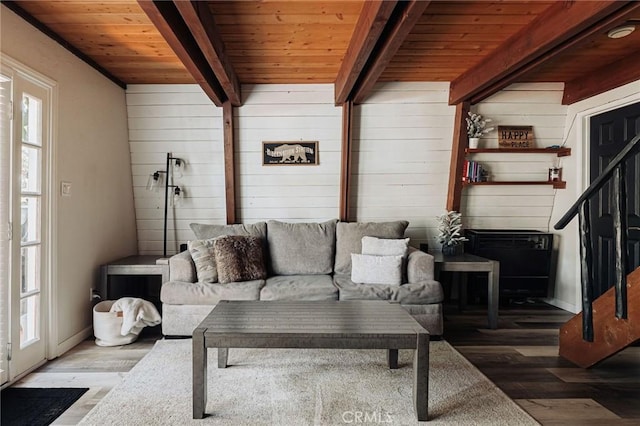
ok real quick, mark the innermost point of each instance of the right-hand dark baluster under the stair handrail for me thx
(619, 201)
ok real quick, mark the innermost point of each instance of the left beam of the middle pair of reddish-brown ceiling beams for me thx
(371, 23)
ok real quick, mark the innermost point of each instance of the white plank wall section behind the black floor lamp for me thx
(182, 120)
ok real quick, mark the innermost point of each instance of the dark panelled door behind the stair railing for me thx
(610, 132)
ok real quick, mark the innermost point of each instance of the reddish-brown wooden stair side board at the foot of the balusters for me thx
(610, 334)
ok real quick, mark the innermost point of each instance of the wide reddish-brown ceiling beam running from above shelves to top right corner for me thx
(562, 24)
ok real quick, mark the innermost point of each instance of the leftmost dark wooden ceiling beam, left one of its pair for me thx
(166, 18)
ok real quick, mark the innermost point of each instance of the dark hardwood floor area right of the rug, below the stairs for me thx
(521, 358)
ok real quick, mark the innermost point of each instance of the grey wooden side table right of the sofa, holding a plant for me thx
(472, 263)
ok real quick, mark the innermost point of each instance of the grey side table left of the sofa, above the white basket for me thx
(133, 265)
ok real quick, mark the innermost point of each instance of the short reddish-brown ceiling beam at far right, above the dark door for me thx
(627, 70)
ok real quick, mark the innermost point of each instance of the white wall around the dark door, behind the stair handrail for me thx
(576, 171)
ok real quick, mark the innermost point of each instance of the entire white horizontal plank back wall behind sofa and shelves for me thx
(402, 148)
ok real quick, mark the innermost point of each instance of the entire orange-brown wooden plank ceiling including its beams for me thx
(479, 46)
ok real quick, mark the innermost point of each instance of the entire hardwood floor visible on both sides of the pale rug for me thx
(521, 358)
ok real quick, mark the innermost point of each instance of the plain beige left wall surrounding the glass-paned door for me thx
(90, 150)
